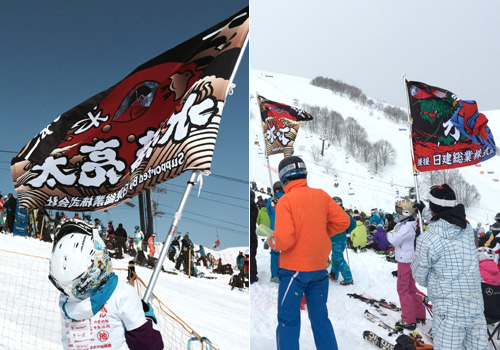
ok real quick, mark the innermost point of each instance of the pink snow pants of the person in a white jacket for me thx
(412, 305)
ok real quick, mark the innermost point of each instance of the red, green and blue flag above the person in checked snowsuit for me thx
(447, 132)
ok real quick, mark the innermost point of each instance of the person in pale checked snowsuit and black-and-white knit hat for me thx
(446, 263)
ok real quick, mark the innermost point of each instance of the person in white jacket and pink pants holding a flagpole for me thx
(402, 237)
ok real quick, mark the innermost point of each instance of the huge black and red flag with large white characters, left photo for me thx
(158, 122)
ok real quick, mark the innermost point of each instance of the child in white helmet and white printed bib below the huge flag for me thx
(96, 309)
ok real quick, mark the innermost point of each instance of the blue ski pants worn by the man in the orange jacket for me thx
(314, 286)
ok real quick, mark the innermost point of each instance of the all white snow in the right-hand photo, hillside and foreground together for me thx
(371, 272)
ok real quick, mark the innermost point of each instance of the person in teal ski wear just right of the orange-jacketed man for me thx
(339, 242)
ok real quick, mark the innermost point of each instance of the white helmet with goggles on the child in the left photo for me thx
(80, 263)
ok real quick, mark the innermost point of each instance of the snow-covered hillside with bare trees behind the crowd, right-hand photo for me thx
(370, 190)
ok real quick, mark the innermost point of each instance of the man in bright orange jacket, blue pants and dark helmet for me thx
(306, 218)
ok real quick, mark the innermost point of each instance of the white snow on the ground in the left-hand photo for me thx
(209, 306)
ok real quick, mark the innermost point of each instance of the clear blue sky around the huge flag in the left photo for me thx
(57, 54)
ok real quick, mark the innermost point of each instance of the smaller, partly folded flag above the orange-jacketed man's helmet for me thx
(281, 125)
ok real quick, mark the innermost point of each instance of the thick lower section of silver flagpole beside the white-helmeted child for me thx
(168, 239)
